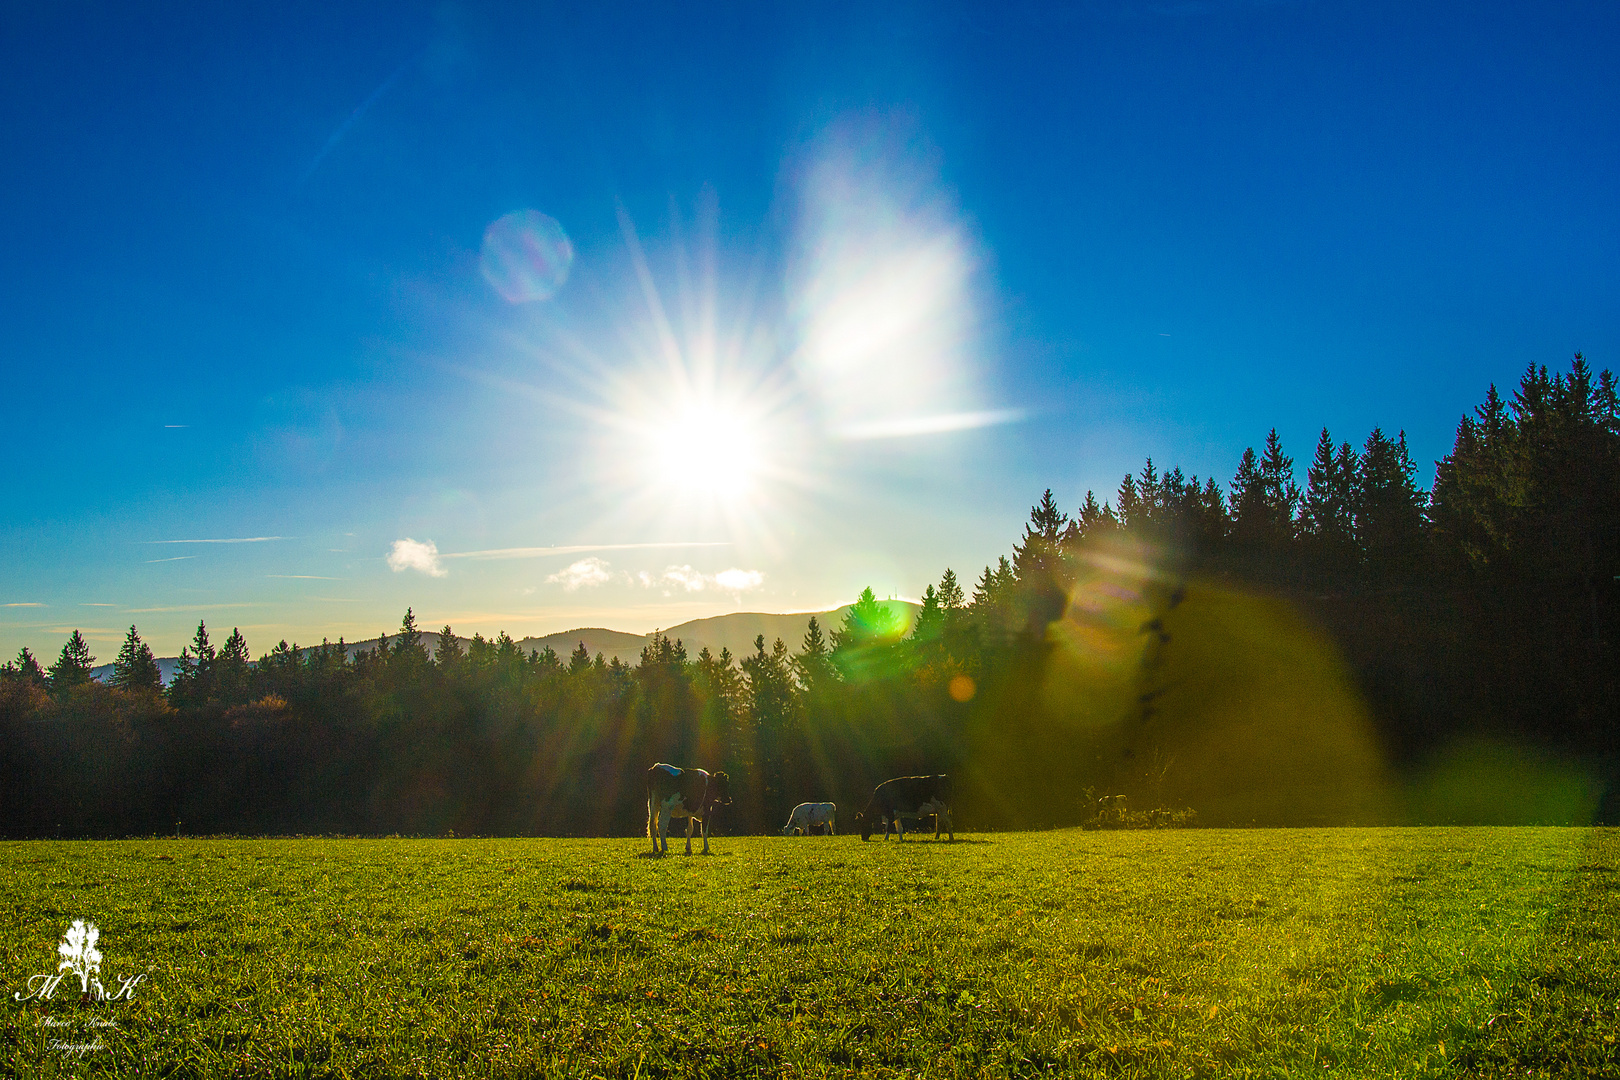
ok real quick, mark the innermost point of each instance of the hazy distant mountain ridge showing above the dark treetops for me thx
(735, 632)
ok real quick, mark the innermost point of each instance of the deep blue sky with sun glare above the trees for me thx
(848, 289)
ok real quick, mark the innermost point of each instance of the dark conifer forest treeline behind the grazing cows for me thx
(1264, 653)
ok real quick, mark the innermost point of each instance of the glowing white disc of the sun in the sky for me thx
(707, 451)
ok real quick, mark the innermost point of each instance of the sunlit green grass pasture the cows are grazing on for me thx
(1412, 953)
